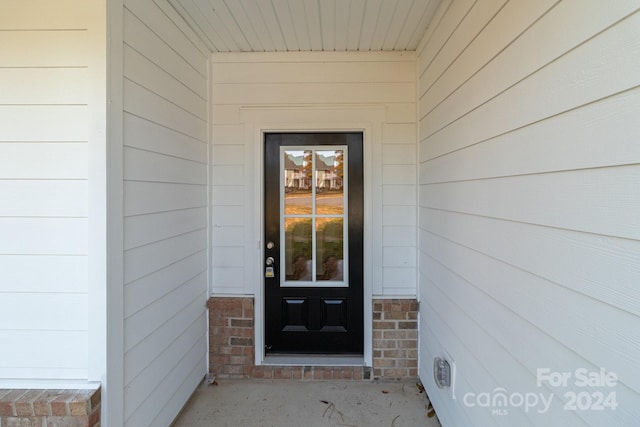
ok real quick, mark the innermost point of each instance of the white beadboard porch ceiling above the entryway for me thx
(307, 25)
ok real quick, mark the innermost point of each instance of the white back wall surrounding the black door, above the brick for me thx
(373, 92)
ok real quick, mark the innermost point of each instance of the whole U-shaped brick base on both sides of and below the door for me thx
(231, 344)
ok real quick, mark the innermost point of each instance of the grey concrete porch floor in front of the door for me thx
(281, 403)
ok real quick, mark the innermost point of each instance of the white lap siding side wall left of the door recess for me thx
(165, 213)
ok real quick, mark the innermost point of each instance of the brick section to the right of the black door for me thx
(395, 338)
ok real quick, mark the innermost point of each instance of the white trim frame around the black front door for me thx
(367, 130)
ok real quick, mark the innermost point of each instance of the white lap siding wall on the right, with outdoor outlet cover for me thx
(529, 204)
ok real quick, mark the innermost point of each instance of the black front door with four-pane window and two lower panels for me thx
(313, 243)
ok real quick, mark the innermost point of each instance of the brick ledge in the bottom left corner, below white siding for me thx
(49, 408)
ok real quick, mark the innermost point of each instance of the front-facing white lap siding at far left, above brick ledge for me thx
(44, 76)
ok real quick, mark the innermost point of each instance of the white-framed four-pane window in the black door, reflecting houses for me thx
(314, 202)
